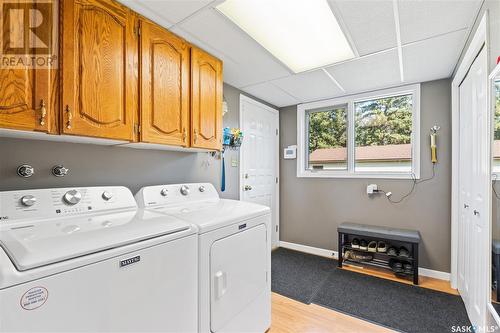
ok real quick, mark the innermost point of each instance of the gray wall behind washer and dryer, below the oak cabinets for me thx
(93, 165)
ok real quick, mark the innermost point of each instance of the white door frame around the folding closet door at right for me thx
(479, 41)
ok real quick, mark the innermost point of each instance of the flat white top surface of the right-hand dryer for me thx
(216, 213)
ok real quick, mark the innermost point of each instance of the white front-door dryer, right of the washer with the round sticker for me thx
(234, 254)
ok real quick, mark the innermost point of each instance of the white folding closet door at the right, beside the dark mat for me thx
(474, 190)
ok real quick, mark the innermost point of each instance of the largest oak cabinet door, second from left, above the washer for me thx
(99, 69)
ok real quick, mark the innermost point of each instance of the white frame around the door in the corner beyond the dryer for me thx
(244, 98)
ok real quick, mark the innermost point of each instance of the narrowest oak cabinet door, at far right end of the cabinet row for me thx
(206, 100)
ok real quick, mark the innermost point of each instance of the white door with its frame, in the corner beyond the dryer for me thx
(259, 158)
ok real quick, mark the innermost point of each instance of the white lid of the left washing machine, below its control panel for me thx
(39, 243)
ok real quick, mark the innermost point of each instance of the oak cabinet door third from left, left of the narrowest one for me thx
(164, 86)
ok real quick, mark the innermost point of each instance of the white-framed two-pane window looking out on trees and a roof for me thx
(366, 135)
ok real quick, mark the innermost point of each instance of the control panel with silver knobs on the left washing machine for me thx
(49, 203)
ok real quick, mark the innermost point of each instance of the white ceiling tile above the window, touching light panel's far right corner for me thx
(376, 71)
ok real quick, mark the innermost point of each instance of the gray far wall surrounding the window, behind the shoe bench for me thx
(312, 208)
